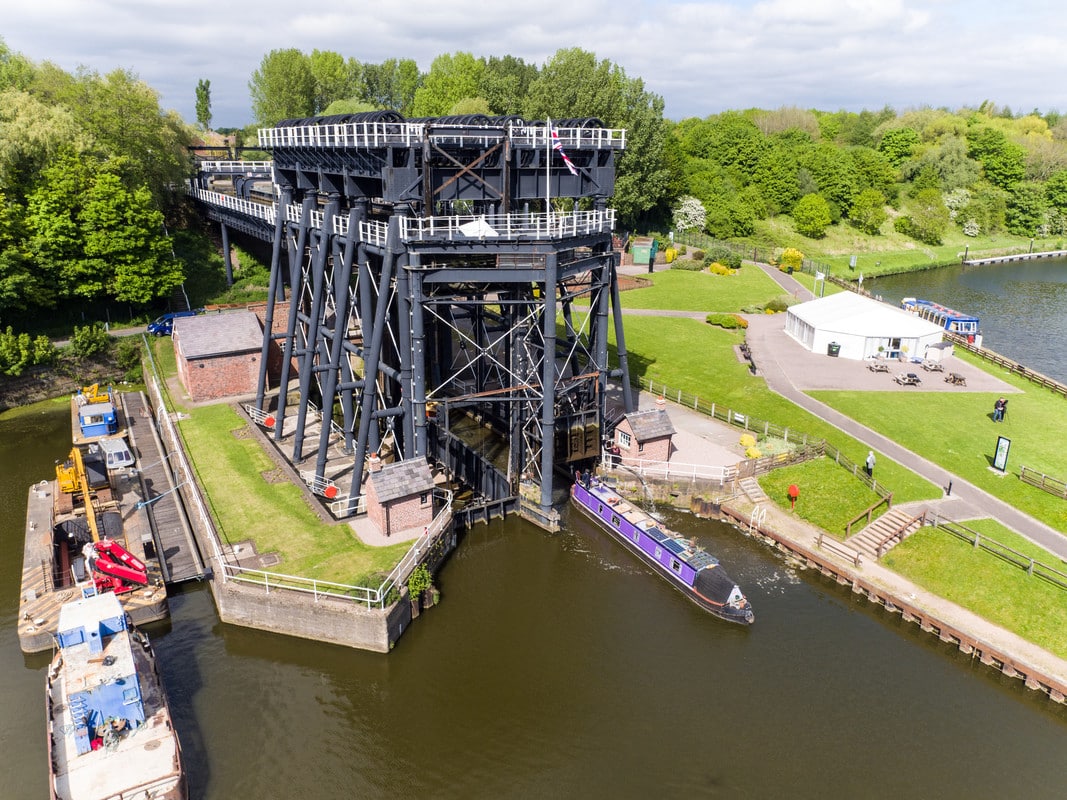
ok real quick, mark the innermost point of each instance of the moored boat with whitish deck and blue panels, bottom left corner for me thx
(110, 733)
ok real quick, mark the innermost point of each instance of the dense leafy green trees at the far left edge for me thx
(90, 166)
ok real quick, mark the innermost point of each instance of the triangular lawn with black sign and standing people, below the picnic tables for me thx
(958, 434)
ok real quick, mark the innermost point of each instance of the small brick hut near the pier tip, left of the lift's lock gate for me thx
(401, 497)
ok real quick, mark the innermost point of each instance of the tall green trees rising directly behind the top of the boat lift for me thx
(572, 84)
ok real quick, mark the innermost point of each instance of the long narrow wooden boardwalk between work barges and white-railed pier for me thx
(179, 556)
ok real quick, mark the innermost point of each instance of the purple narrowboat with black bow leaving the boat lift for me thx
(688, 568)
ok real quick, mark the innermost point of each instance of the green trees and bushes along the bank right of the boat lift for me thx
(983, 170)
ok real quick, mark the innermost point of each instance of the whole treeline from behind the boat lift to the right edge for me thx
(984, 170)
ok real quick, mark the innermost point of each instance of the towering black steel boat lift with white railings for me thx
(436, 268)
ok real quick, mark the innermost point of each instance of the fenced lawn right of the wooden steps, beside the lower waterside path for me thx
(993, 588)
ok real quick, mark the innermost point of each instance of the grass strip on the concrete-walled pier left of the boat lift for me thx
(231, 467)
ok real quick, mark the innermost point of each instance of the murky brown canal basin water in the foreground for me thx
(559, 667)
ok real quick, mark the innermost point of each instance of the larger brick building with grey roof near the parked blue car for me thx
(218, 355)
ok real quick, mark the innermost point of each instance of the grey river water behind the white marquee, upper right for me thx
(1022, 306)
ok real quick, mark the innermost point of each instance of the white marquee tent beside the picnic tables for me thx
(857, 327)
